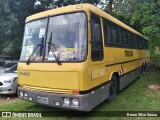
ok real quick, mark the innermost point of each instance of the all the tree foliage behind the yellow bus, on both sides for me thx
(143, 15)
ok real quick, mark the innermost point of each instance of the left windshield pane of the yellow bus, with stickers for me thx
(34, 32)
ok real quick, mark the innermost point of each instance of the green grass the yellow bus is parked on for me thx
(136, 97)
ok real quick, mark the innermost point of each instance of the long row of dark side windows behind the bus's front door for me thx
(133, 43)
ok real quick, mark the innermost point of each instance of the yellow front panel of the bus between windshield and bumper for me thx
(67, 76)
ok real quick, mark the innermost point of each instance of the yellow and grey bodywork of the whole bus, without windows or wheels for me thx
(90, 78)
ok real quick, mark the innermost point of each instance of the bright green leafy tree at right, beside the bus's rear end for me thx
(146, 18)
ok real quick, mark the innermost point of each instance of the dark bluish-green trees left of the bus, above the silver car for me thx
(13, 14)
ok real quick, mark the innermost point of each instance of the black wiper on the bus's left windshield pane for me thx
(41, 49)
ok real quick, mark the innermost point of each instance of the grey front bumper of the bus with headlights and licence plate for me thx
(53, 97)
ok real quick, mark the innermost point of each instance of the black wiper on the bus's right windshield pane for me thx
(51, 46)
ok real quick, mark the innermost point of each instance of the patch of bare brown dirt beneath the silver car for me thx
(5, 99)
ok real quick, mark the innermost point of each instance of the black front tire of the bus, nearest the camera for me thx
(112, 88)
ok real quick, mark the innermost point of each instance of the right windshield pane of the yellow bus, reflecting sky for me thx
(69, 37)
